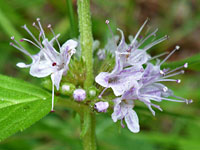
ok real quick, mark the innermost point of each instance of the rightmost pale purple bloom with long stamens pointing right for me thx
(150, 89)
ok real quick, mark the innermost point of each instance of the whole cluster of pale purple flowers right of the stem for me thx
(134, 77)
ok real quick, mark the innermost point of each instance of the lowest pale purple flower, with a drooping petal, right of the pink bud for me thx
(123, 110)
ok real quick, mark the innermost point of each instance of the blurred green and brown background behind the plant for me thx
(176, 128)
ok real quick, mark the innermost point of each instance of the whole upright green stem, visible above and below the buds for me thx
(86, 40)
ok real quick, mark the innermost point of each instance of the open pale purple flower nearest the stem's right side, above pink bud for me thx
(119, 79)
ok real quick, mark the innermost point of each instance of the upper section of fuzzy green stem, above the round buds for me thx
(86, 40)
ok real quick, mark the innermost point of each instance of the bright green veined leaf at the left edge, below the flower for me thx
(21, 105)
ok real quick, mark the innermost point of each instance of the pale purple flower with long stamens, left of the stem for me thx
(48, 61)
